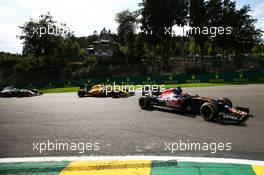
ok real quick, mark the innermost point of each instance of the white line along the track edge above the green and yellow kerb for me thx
(159, 158)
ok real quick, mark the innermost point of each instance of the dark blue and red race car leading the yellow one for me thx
(209, 109)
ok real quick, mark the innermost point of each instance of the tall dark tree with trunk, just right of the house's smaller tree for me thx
(158, 18)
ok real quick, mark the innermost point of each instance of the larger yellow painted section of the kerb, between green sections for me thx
(131, 167)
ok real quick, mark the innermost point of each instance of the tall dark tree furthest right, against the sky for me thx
(244, 34)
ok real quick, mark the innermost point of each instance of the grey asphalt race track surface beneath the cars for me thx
(120, 127)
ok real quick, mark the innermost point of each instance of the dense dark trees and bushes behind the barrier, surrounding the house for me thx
(144, 44)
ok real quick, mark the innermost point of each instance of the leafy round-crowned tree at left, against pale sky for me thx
(51, 46)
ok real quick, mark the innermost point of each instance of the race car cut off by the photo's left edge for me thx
(10, 91)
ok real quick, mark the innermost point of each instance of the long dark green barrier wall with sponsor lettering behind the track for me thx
(229, 77)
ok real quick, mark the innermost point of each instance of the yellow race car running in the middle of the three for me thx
(101, 90)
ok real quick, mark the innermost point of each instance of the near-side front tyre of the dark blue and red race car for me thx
(209, 110)
